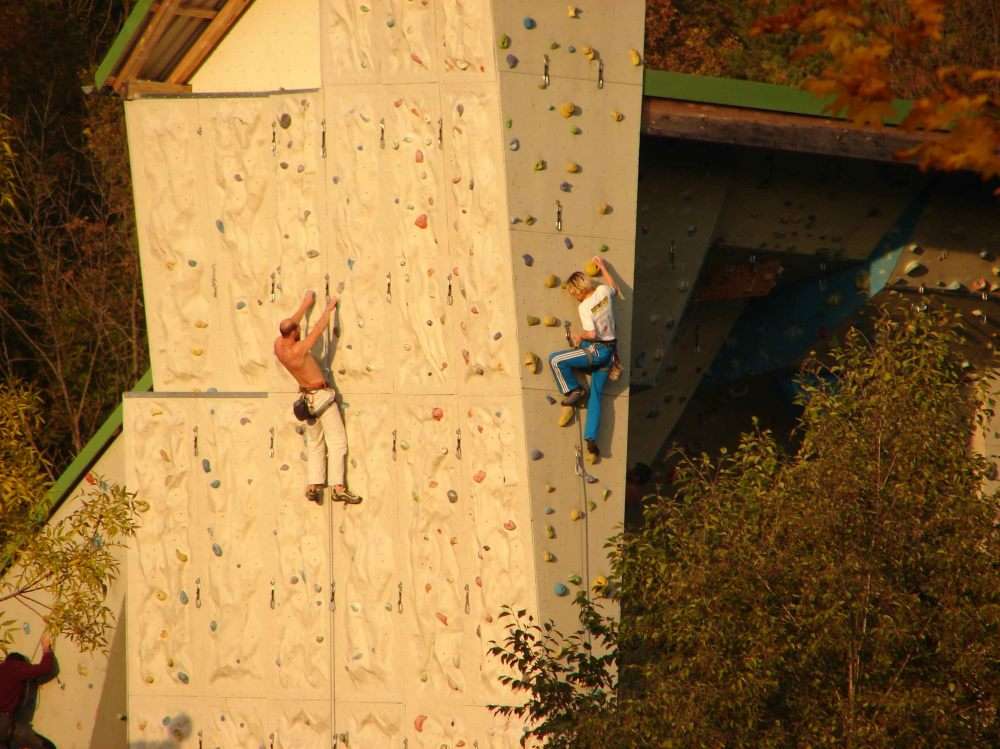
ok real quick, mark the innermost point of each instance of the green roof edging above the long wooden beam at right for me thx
(732, 92)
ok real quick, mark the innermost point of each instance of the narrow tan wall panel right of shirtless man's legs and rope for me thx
(367, 620)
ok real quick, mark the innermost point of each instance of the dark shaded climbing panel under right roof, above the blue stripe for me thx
(792, 203)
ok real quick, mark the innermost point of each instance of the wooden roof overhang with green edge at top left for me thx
(164, 42)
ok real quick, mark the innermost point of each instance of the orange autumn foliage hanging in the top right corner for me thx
(875, 51)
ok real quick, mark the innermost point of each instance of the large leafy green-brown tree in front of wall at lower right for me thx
(846, 594)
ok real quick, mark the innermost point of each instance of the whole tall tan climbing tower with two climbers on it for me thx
(436, 196)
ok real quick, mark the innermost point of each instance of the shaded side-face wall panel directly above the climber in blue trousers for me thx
(598, 199)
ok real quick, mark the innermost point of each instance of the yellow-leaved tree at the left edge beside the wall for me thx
(60, 570)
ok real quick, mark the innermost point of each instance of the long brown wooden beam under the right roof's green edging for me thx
(670, 118)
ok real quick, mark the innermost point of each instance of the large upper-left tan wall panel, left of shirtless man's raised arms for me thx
(232, 256)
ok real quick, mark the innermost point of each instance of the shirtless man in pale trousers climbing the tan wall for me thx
(325, 427)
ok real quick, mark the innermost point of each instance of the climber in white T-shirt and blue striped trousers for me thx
(594, 348)
